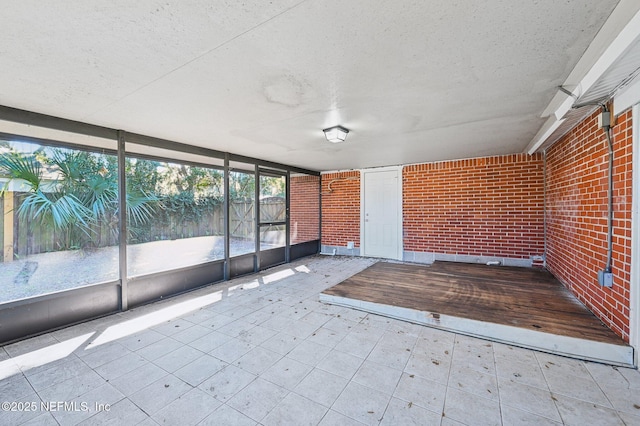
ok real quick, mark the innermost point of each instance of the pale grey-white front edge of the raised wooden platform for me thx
(572, 347)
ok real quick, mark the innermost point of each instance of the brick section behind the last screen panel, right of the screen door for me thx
(304, 208)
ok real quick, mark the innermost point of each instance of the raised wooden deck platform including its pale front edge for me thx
(518, 306)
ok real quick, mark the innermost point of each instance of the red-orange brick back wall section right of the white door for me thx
(490, 206)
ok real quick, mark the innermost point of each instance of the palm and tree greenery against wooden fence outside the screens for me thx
(75, 193)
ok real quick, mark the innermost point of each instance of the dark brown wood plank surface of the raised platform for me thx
(520, 297)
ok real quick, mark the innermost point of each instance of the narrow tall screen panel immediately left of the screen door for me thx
(242, 212)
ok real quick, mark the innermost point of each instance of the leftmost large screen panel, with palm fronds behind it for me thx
(59, 219)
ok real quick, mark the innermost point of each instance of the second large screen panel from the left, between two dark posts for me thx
(175, 215)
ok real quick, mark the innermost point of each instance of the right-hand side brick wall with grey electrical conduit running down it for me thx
(577, 217)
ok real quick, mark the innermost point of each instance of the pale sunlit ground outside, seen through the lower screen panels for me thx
(49, 272)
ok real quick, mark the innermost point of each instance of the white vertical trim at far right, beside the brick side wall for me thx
(634, 291)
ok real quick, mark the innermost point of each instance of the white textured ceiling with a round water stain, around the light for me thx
(415, 81)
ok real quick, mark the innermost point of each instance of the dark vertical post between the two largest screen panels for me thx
(122, 220)
